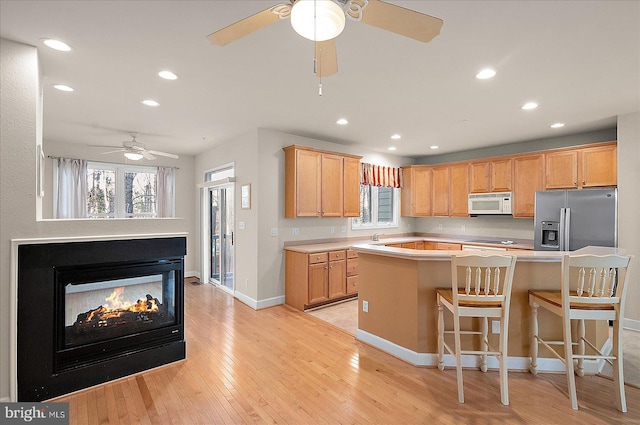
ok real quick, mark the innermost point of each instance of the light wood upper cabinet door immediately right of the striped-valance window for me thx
(416, 191)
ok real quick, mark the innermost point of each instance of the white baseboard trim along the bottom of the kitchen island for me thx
(591, 367)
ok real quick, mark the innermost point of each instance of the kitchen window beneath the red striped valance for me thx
(378, 207)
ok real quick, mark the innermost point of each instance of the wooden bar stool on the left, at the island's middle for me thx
(486, 293)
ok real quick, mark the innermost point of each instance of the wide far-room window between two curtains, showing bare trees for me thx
(119, 191)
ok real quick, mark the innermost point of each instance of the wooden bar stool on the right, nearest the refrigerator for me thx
(596, 296)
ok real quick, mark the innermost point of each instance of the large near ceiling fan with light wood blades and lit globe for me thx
(310, 19)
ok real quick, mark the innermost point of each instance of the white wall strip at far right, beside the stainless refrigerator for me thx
(629, 205)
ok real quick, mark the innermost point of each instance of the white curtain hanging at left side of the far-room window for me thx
(72, 188)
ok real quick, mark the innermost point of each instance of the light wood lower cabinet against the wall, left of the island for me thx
(315, 279)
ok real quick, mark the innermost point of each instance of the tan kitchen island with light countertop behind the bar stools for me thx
(397, 286)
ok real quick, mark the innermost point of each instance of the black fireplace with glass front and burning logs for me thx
(90, 312)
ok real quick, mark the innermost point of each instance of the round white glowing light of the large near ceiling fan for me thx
(326, 23)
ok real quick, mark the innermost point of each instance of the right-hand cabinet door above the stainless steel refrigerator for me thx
(599, 166)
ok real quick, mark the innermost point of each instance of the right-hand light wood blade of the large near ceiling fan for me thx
(402, 21)
